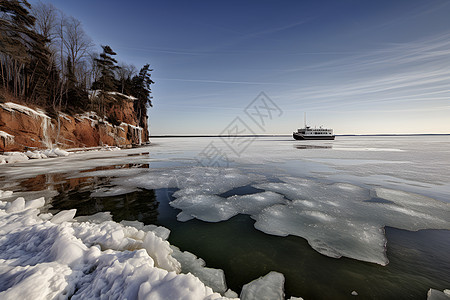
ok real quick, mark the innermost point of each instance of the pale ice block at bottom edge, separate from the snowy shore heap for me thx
(269, 287)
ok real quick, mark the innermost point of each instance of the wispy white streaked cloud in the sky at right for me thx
(403, 73)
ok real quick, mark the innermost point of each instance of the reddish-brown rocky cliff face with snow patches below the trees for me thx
(23, 128)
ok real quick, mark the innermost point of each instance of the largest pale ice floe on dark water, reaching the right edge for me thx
(338, 220)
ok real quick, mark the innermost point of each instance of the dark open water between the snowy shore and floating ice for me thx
(418, 260)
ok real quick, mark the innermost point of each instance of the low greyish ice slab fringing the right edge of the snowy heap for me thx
(214, 278)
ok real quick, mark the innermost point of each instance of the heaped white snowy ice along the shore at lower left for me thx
(83, 259)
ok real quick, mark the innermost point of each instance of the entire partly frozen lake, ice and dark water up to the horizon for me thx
(364, 214)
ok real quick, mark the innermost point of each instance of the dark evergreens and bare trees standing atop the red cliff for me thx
(47, 59)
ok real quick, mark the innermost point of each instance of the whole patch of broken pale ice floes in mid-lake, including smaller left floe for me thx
(338, 219)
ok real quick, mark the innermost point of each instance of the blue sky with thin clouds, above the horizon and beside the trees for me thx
(356, 66)
